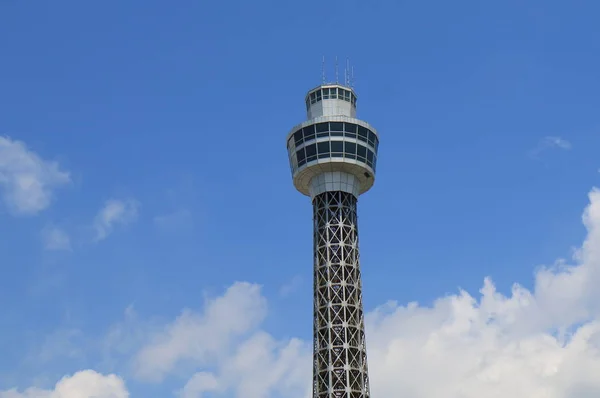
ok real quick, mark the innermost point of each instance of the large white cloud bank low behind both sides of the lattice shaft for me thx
(542, 342)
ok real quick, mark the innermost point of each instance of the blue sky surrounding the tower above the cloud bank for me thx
(143, 166)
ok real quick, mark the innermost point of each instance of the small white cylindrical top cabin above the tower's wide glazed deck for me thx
(331, 100)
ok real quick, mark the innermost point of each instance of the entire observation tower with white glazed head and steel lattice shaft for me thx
(333, 156)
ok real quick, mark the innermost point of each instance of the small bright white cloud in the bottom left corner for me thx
(84, 384)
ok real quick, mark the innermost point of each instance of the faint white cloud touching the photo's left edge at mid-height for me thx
(27, 182)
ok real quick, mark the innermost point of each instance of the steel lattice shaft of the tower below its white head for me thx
(340, 356)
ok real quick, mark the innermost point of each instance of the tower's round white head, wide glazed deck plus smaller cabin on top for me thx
(332, 150)
